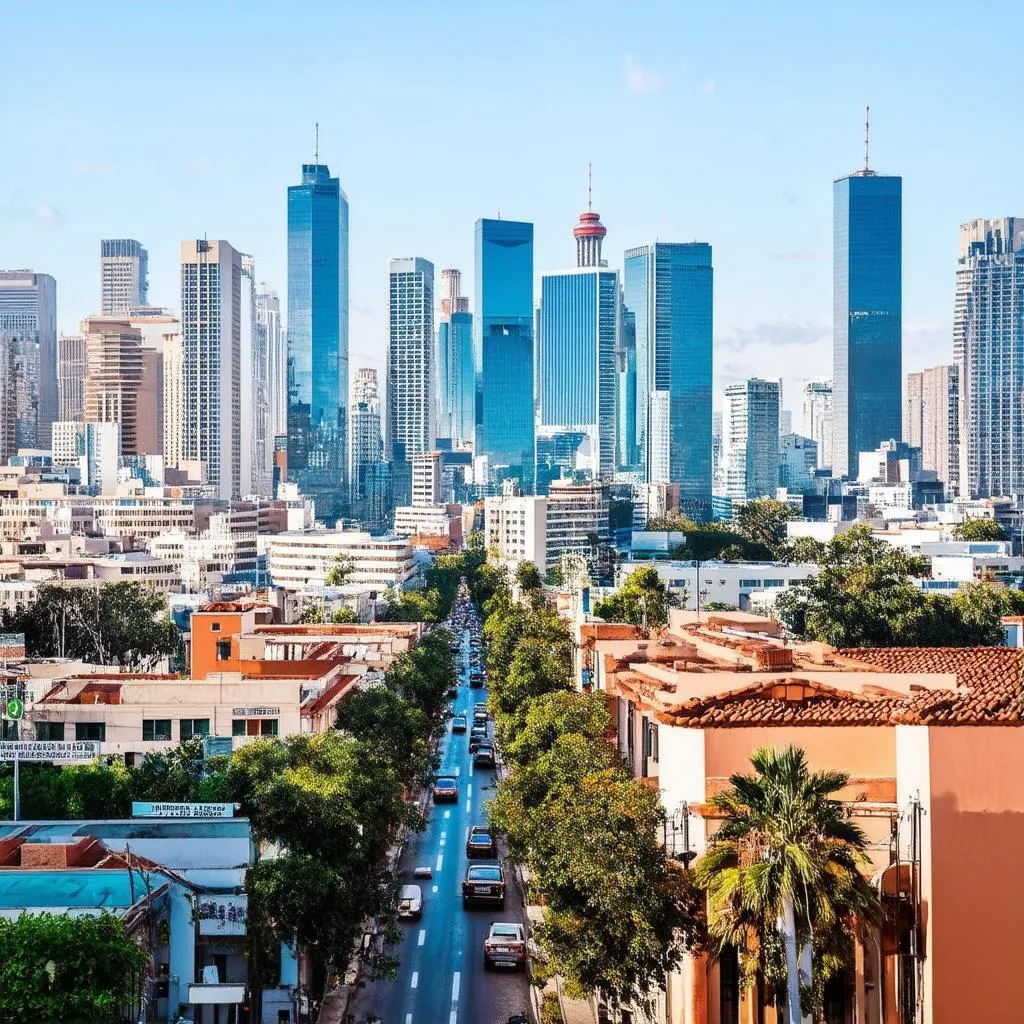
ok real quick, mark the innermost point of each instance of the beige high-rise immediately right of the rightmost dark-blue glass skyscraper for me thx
(931, 408)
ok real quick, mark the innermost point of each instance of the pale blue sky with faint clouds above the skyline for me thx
(724, 123)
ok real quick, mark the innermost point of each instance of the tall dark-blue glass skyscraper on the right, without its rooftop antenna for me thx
(867, 316)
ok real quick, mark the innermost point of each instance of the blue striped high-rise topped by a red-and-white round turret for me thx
(579, 336)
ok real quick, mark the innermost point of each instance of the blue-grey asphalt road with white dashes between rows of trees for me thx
(442, 979)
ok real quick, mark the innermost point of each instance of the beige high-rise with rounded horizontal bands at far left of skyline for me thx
(114, 376)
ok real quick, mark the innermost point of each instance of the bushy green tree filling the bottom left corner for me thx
(73, 970)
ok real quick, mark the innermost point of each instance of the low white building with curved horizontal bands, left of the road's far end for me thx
(298, 561)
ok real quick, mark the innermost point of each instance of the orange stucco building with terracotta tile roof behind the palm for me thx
(932, 743)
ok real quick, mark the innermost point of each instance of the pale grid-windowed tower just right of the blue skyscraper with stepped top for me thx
(410, 370)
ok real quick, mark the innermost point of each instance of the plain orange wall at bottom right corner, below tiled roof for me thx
(977, 840)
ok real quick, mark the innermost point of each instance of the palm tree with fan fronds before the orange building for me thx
(783, 874)
